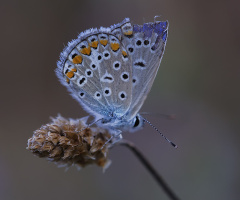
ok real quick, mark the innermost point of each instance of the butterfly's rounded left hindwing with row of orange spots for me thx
(96, 70)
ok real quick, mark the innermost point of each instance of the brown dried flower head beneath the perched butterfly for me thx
(65, 142)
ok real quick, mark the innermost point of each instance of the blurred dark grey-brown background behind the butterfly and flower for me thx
(198, 81)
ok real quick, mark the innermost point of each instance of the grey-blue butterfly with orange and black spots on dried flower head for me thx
(110, 71)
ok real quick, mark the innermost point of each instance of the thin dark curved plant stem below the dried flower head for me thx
(150, 168)
